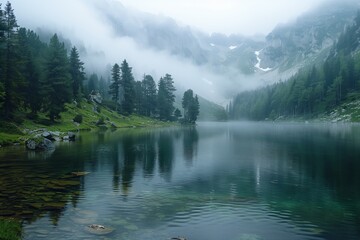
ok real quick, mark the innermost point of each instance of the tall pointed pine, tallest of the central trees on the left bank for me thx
(127, 81)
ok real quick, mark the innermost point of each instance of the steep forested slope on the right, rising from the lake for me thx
(327, 90)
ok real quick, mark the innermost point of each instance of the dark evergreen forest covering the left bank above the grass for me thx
(38, 77)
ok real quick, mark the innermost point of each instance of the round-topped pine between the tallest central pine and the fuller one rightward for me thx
(149, 95)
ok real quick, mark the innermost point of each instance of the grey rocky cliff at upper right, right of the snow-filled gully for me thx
(309, 38)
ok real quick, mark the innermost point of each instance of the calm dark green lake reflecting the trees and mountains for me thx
(233, 181)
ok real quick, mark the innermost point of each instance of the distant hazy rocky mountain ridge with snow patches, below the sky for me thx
(287, 48)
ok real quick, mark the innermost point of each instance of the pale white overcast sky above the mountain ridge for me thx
(246, 17)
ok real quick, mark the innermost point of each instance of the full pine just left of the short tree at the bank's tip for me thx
(166, 97)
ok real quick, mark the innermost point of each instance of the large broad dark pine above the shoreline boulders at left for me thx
(57, 89)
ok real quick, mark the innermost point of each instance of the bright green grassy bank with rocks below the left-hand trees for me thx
(93, 117)
